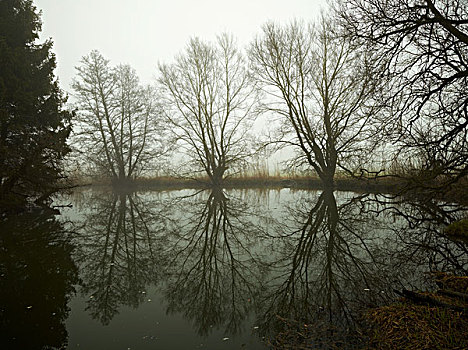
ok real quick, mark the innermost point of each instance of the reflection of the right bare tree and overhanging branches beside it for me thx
(339, 253)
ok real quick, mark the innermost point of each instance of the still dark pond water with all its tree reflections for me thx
(213, 270)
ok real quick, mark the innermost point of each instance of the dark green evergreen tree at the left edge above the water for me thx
(33, 125)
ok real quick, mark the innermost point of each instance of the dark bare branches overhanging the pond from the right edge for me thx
(424, 46)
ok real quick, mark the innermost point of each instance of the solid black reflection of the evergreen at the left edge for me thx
(37, 276)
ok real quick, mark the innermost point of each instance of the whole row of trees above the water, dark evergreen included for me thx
(369, 79)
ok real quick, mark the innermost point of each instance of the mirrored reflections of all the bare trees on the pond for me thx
(235, 262)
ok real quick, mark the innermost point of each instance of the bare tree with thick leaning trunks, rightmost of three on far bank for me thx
(320, 87)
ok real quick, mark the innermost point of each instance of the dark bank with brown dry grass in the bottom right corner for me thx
(419, 320)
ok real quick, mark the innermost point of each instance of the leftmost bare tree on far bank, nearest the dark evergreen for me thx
(118, 125)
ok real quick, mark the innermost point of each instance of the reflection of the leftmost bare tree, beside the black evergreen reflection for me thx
(119, 252)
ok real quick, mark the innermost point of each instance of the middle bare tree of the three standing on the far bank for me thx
(207, 97)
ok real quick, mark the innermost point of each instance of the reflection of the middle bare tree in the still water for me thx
(214, 276)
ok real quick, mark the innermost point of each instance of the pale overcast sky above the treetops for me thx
(144, 32)
